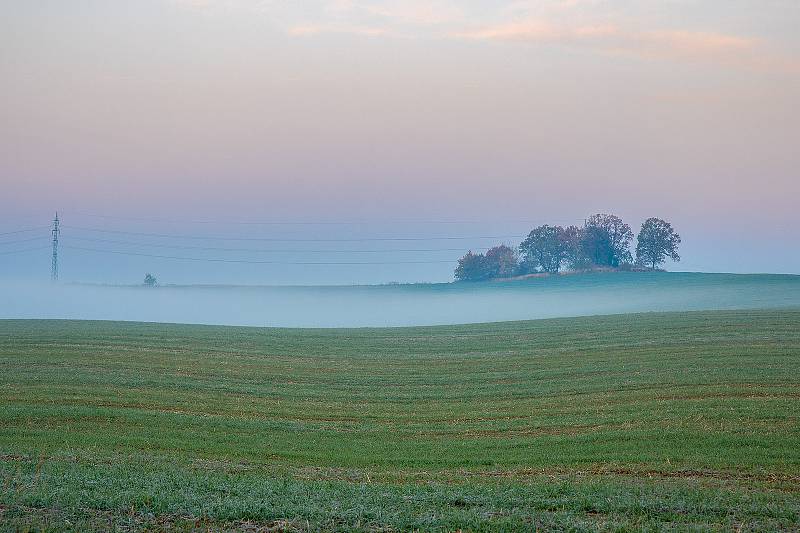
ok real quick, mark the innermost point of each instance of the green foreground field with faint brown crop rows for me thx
(652, 421)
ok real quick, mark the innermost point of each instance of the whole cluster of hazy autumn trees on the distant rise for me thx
(603, 242)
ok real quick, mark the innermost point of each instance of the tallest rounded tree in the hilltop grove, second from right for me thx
(606, 240)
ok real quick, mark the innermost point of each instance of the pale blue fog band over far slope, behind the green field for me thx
(401, 305)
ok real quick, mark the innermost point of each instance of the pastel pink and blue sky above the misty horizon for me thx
(390, 120)
